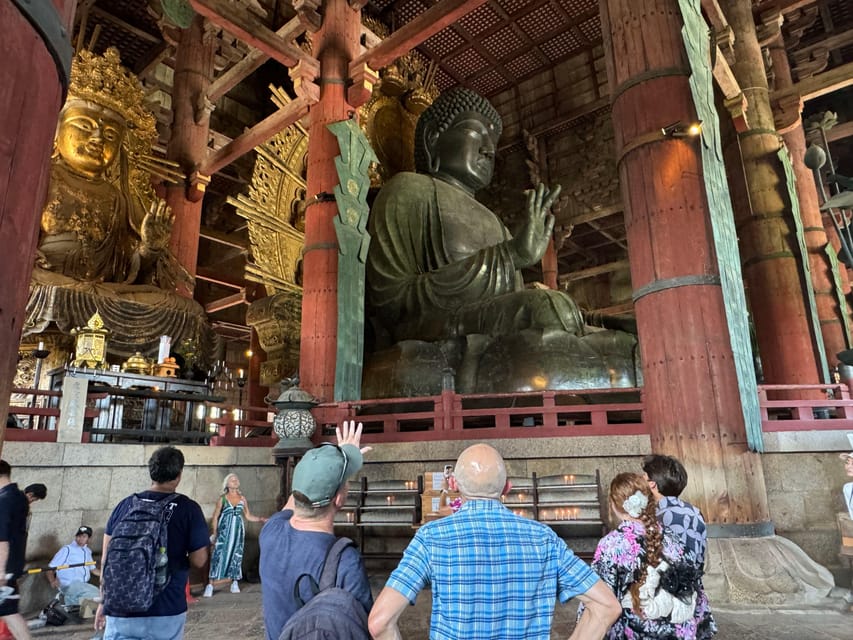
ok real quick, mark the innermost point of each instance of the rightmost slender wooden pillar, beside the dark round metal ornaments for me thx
(834, 321)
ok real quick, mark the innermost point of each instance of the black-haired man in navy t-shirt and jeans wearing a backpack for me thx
(187, 545)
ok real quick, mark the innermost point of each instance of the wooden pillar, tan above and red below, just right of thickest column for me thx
(769, 250)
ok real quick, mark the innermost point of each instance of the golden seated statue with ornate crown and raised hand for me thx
(104, 242)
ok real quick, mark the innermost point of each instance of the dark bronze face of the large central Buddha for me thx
(466, 151)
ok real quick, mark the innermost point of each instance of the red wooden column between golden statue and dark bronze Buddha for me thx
(335, 45)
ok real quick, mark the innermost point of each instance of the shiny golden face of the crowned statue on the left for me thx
(89, 137)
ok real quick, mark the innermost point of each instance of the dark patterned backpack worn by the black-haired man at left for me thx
(130, 573)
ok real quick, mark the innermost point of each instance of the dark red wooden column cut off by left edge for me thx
(31, 95)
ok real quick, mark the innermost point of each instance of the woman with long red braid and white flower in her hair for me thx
(647, 568)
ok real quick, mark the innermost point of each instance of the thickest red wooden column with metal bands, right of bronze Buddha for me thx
(691, 397)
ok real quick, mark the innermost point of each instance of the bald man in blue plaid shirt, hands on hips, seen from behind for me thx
(493, 574)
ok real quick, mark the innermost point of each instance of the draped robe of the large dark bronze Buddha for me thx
(440, 266)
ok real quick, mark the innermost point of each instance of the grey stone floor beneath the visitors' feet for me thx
(238, 617)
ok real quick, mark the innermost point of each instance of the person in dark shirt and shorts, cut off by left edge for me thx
(13, 541)
